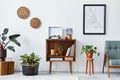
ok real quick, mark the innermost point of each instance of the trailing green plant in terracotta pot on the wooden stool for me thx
(89, 50)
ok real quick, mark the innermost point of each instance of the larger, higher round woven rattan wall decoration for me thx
(23, 12)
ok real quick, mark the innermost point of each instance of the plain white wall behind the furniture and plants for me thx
(64, 13)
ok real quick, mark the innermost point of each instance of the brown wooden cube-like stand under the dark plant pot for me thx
(6, 67)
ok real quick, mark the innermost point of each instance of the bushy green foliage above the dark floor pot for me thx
(30, 60)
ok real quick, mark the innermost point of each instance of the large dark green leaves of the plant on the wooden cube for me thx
(5, 40)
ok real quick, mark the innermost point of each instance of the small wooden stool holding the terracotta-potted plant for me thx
(89, 61)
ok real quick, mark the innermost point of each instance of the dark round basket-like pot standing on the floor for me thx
(30, 70)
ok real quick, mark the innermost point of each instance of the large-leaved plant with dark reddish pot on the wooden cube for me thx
(5, 40)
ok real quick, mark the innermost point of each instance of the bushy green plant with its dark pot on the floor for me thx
(30, 64)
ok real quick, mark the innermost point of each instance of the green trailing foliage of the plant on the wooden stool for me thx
(89, 49)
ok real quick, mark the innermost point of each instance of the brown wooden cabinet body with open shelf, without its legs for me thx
(54, 43)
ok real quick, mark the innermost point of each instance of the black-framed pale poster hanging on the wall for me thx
(94, 19)
